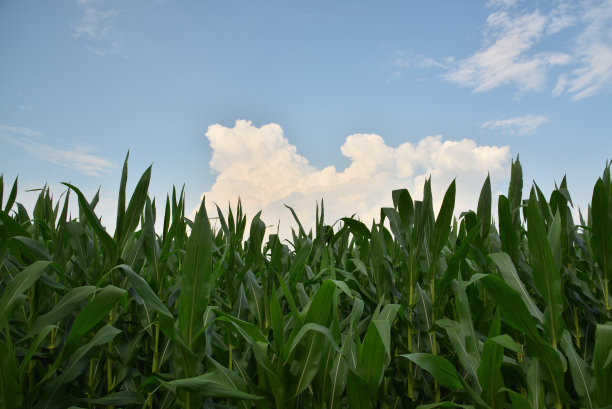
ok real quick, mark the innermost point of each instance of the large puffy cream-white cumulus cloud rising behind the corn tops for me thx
(262, 167)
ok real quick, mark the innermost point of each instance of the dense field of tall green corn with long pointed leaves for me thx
(490, 310)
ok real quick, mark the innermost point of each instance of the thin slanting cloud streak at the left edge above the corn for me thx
(79, 157)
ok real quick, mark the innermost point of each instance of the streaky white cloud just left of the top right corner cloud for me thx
(506, 57)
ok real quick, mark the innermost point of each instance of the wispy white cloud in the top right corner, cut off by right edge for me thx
(593, 51)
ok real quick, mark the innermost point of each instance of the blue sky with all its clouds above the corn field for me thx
(285, 103)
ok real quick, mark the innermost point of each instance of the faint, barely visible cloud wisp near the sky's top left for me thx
(96, 28)
